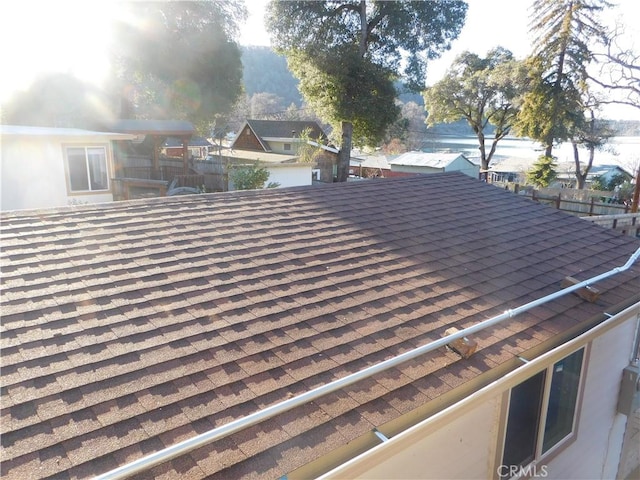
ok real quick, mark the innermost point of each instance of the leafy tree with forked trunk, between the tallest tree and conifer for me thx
(481, 91)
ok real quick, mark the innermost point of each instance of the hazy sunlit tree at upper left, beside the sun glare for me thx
(179, 59)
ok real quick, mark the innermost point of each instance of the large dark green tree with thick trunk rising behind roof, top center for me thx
(348, 53)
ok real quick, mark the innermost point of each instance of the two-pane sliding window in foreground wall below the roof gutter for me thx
(542, 413)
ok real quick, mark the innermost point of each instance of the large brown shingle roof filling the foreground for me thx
(128, 327)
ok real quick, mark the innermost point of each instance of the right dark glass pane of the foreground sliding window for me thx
(562, 399)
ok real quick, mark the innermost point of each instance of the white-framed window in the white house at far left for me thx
(87, 168)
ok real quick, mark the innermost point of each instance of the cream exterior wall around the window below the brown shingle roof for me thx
(465, 445)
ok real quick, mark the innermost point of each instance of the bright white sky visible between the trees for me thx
(72, 36)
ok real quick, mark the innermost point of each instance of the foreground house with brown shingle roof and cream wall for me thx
(130, 327)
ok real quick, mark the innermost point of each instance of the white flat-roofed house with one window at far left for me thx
(52, 167)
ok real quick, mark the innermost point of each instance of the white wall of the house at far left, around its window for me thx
(32, 172)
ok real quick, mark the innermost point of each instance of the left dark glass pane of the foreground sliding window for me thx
(523, 421)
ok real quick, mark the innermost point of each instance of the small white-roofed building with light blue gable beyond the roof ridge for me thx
(422, 162)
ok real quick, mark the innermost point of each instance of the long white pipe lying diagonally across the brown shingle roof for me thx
(217, 433)
